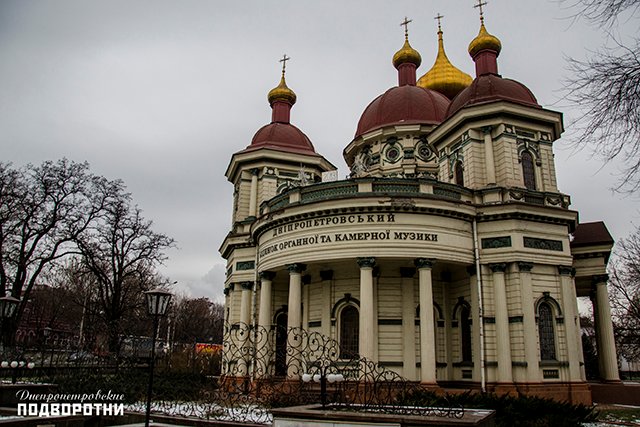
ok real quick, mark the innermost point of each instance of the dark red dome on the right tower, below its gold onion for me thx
(492, 87)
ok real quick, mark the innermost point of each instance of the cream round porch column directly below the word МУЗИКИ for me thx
(427, 333)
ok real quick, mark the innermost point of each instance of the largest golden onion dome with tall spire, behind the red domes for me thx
(443, 76)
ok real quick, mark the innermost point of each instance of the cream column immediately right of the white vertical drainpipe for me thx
(503, 345)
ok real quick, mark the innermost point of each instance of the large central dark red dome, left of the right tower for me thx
(406, 104)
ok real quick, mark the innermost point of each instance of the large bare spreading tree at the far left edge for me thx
(43, 210)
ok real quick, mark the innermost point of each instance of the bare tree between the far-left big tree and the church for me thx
(120, 252)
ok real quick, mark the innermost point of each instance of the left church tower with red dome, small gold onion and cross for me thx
(280, 157)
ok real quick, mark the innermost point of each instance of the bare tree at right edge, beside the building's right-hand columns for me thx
(624, 285)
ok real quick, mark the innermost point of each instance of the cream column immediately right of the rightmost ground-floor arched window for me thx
(571, 321)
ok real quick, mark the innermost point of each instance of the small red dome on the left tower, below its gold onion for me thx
(283, 137)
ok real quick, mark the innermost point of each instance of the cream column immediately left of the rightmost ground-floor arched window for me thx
(531, 354)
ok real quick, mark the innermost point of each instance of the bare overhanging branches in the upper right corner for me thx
(605, 87)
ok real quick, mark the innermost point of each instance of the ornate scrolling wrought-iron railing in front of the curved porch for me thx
(297, 367)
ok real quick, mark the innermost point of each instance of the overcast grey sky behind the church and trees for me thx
(161, 93)
